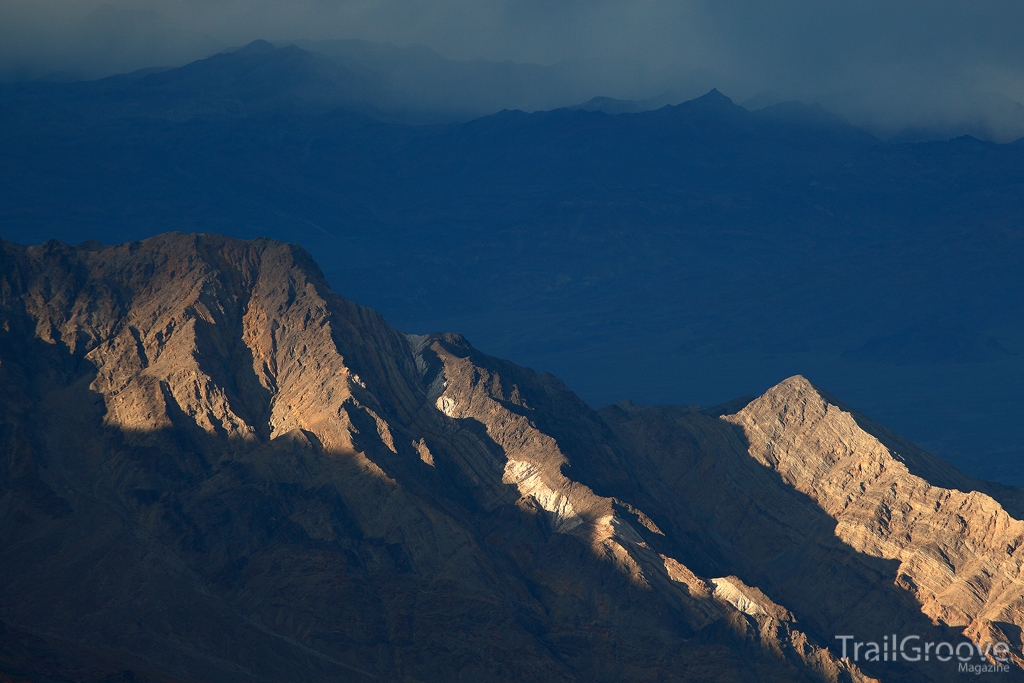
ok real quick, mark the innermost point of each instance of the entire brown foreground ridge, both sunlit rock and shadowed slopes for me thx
(215, 468)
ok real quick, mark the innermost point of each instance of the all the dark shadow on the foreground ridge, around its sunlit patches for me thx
(221, 559)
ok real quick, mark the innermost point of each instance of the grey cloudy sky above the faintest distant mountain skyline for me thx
(868, 58)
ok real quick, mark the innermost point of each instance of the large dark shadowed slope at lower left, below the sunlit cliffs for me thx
(179, 554)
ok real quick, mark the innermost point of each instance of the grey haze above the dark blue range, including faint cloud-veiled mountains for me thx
(932, 68)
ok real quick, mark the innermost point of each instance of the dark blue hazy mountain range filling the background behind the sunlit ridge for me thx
(689, 254)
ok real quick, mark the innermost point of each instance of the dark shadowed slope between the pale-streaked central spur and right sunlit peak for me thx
(720, 513)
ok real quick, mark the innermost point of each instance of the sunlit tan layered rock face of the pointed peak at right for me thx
(958, 550)
